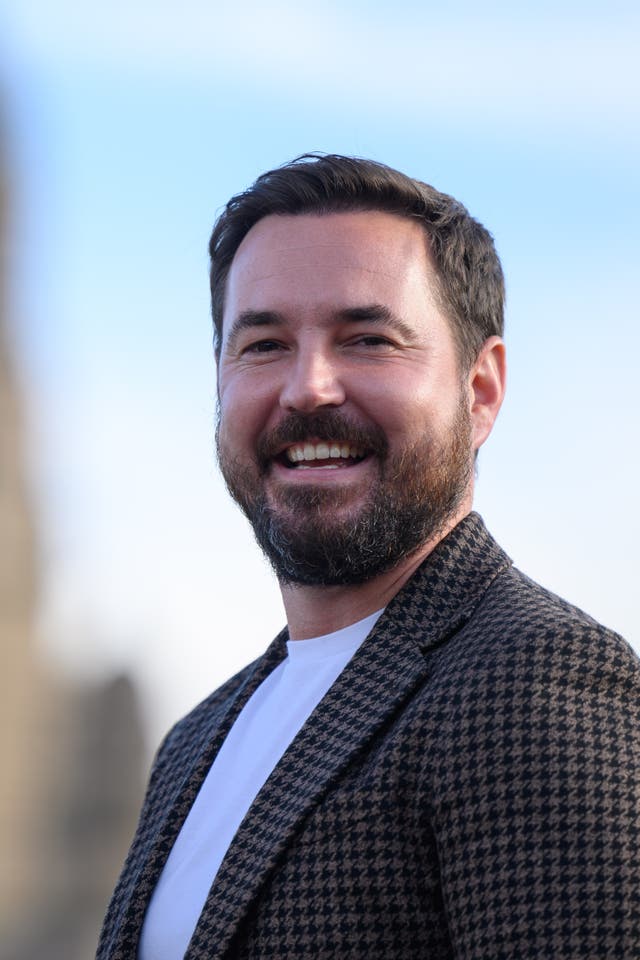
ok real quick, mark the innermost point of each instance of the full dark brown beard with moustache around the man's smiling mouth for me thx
(307, 532)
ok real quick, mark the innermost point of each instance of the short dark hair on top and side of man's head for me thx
(471, 283)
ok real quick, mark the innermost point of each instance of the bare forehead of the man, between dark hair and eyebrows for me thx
(339, 258)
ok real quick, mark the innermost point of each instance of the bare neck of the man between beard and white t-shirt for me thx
(314, 611)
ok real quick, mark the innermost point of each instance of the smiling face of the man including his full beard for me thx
(344, 426)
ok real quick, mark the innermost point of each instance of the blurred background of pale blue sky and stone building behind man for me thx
(130, 587)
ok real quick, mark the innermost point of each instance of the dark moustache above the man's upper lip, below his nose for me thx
(321, 425)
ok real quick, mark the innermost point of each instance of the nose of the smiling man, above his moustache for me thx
(312, 382)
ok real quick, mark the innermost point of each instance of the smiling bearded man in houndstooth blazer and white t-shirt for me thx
(437, 758)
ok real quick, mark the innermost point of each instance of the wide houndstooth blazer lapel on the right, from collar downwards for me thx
(388, 667)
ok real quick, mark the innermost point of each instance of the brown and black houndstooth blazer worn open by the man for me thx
(469, 787)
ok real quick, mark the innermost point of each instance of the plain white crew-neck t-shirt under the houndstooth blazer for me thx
(259, 737)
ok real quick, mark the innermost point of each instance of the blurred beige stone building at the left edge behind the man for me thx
(71, 758)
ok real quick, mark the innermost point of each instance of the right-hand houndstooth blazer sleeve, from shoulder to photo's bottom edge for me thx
(530, 774)
